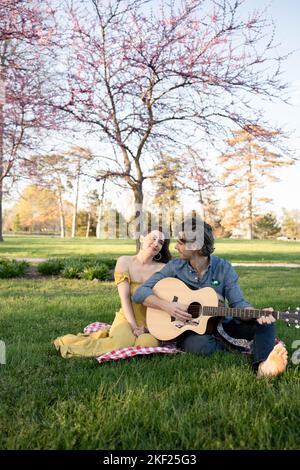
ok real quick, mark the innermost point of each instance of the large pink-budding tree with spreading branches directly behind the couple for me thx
(141, 78)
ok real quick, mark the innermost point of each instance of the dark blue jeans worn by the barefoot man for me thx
(263, 337)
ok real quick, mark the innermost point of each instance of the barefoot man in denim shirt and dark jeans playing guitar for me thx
(197, 268)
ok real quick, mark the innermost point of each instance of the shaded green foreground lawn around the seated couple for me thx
(159, 402)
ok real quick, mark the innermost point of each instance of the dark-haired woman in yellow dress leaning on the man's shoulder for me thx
(129, 326)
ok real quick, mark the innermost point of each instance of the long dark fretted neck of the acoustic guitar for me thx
(241, 312)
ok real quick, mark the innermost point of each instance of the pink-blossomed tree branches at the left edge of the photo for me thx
(26, 28)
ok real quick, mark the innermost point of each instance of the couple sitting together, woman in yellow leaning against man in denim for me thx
(136, 276)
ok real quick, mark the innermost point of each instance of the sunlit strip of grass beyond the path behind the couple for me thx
(259, 251)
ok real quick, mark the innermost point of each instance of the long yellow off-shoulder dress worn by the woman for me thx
(119, 336)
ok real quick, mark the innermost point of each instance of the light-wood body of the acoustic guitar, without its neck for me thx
(164, 327)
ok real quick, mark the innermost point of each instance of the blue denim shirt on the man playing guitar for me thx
(220, 275)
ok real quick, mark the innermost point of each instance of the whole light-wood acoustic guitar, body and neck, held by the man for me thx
(203, 305)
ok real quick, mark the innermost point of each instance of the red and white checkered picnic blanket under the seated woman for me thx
(125, 353)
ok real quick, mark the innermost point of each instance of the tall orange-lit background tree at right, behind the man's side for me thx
(247, 168)
